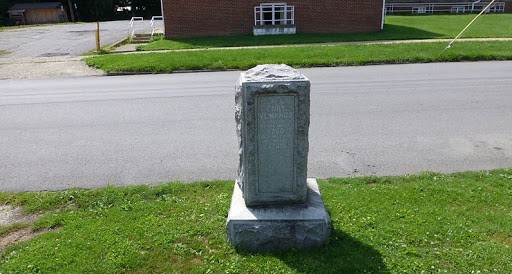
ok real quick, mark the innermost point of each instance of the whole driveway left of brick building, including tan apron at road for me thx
(54, 50)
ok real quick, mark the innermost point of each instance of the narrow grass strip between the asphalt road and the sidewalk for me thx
(310, 56)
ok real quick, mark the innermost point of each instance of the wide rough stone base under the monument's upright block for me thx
(278, 227)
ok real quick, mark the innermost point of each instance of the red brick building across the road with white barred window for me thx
(194, 18)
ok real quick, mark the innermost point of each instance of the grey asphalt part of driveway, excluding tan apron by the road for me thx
(59, 40)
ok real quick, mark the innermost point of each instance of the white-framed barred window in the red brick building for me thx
(274, 14)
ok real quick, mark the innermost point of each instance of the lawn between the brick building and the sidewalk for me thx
(396, 28)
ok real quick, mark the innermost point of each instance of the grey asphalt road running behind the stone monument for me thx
(372, 120)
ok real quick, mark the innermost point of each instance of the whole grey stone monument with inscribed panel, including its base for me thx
(274, 205)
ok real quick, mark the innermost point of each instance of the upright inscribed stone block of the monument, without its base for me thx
(272, 117)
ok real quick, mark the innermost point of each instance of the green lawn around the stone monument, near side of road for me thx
(457, 223)
